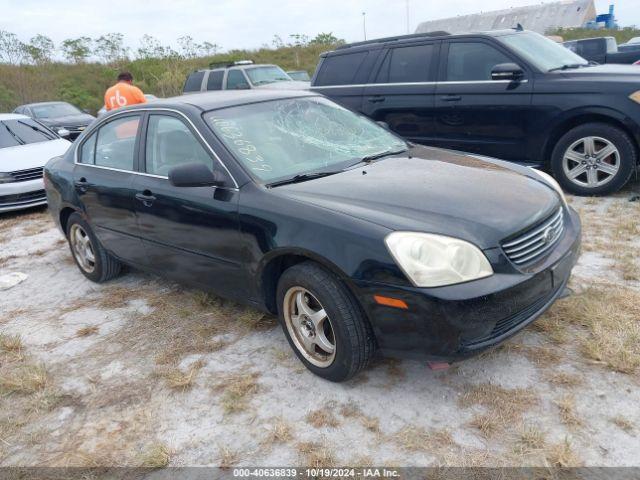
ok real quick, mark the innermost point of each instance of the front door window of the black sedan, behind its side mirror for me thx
(170, 143)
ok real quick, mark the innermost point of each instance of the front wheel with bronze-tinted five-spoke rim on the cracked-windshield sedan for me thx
(323, 323)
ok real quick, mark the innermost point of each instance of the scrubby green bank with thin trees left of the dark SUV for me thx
(79, 70)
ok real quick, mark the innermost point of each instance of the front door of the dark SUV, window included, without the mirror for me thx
(475, 113)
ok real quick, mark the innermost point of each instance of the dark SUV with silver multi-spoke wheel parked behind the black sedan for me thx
(510, 94)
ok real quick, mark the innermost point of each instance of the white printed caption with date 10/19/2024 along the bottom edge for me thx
(316, 473)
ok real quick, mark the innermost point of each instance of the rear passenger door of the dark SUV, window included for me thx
(401, 92)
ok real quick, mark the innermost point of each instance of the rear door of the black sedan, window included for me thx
(103, 177)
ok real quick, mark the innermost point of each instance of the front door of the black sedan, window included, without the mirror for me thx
(190, 233)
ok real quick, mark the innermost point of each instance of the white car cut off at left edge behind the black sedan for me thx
(25, 146)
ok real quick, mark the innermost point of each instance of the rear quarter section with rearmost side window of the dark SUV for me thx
(341, 76)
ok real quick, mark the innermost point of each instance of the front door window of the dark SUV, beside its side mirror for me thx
(472, 61)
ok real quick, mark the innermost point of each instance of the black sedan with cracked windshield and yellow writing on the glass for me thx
(358, 240)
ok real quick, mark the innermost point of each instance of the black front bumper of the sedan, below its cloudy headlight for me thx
(454, 322)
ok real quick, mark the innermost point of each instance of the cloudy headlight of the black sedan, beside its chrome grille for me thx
(434, 260)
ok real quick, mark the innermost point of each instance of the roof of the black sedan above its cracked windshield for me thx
(223, 98)
